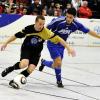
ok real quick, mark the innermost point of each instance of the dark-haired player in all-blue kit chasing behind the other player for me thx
(62, 26)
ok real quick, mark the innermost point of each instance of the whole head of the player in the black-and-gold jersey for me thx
(39, 22)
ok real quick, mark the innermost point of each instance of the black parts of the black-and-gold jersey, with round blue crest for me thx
(31, 40)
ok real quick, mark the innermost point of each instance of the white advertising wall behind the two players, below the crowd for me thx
(77, 38)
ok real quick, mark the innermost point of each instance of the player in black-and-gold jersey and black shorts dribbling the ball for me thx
(35, 35)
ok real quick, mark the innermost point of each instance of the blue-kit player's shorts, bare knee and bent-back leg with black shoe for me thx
(56, 54)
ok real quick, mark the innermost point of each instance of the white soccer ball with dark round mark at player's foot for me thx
(20, 80)
